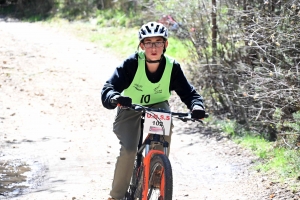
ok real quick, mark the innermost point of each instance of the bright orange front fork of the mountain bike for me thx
(146, 174)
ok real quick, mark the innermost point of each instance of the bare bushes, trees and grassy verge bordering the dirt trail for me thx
(242, 55)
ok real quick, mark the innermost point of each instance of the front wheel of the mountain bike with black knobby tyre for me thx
(160, 179)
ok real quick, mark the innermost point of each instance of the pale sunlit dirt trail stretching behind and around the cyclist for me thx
(53, 123)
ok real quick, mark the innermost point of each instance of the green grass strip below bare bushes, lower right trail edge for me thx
(282, 163)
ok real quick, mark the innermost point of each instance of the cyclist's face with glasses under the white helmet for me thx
(153, 47)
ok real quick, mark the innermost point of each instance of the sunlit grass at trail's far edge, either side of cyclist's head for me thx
(120, 40)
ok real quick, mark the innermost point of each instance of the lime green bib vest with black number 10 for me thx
(144, 92)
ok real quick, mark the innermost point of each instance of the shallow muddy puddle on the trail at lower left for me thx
(18, 177)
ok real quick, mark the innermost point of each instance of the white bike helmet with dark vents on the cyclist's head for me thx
(152, 29)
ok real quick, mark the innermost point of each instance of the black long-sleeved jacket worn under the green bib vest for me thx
(124, 74)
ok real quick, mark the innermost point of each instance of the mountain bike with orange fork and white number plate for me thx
(152, 177)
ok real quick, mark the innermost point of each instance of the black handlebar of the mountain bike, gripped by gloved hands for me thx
(179, 115)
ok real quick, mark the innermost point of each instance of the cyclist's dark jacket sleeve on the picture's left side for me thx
(120, 80)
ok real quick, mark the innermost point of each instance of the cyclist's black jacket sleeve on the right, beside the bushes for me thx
(186, 91)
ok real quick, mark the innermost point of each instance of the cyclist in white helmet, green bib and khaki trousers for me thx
(146, 77)
